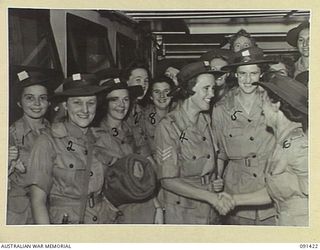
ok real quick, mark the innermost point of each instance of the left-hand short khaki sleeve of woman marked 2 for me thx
(41, 163)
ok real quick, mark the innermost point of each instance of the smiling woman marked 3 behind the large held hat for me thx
(120, 142)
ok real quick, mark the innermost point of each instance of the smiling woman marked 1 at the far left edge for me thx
(22, 135)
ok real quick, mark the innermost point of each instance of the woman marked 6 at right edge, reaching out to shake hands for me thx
(286, 111)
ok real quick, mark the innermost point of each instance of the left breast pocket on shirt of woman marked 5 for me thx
(234, 140)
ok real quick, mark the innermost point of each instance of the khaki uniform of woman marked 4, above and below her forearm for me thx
(185, 150)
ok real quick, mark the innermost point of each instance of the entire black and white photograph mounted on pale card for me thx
(163, 117)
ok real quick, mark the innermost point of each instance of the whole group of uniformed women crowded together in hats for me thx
(223, 140)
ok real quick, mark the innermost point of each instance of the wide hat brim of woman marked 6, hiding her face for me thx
(294, 94)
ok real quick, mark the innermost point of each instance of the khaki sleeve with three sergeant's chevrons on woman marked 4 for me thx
(166, 150)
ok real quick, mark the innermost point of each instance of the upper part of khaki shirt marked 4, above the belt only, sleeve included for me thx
(184, 149)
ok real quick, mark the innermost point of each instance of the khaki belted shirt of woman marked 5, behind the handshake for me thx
(245, 142)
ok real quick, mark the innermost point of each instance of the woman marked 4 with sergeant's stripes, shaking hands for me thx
(186, 152)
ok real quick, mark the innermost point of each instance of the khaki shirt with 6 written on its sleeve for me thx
(287, 174)
